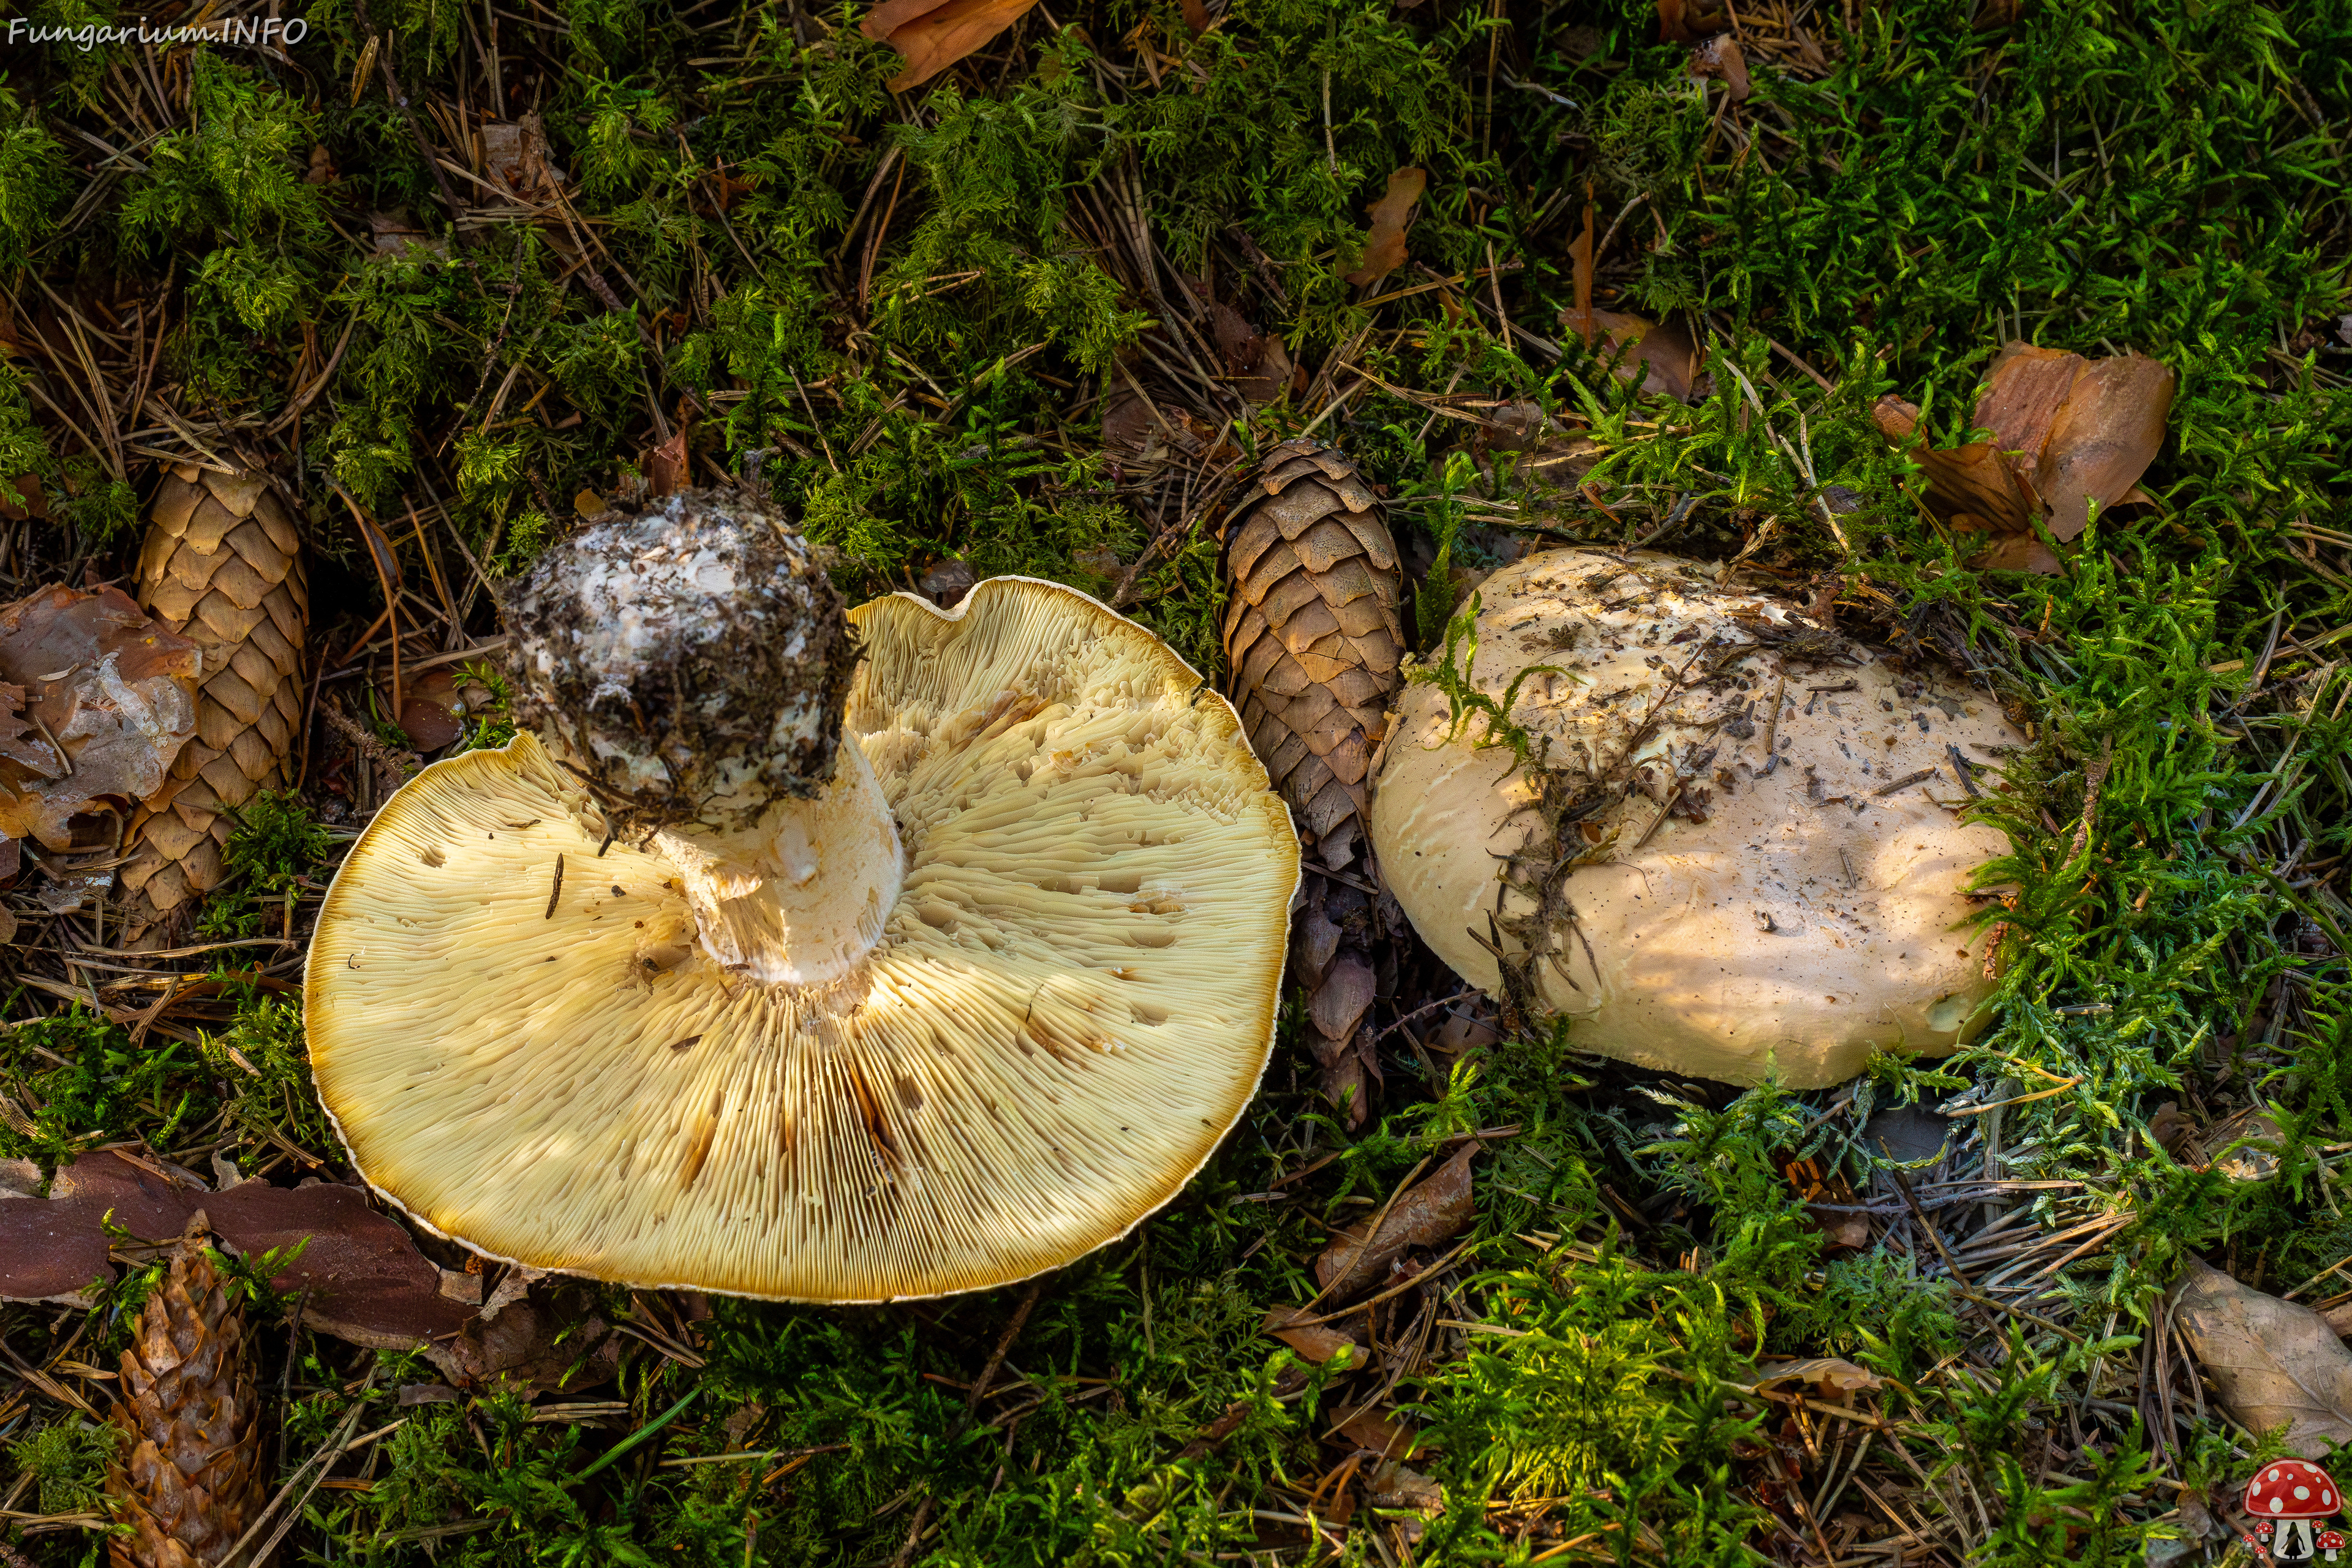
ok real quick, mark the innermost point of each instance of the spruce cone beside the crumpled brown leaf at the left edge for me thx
(222, 565)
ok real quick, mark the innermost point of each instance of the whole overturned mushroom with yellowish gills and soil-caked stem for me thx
(806, 963)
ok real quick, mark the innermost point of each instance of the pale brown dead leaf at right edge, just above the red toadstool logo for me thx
(2269, 1360)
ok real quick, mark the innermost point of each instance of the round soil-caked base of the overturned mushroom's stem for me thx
(690, 662)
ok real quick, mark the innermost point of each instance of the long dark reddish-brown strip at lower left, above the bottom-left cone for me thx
(363, 1273)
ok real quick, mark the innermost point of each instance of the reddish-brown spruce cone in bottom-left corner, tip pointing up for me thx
(189, 1468)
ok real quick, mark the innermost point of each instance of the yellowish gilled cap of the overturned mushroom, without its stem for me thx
(1071, 1003)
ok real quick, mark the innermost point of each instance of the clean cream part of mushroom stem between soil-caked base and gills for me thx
(803, 894)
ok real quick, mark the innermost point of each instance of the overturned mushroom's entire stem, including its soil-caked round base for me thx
(693, 664)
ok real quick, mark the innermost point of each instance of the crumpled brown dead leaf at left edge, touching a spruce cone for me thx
(107, 697)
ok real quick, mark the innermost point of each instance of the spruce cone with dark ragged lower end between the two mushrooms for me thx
(1314, 648)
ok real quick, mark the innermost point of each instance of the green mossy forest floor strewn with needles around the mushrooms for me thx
(476, 269)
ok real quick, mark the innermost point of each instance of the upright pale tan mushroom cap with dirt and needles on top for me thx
(1737, 845)
